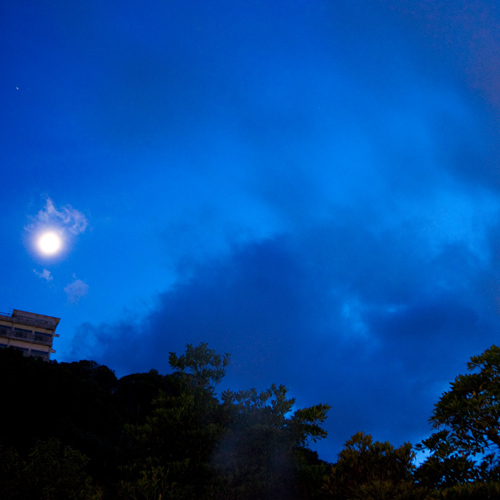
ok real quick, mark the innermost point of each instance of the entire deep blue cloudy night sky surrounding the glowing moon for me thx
(311, 186)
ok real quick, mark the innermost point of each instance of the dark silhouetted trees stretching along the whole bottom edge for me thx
(74, 431)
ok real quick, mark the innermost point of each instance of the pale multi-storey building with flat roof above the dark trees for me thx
(30, 333)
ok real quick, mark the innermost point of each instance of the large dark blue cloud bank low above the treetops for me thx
(357, 317)
